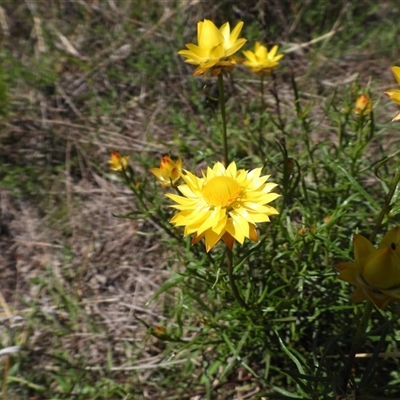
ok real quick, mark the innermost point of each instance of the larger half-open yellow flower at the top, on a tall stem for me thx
(215, 48)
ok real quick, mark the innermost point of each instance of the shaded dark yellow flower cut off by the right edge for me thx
(375, 272)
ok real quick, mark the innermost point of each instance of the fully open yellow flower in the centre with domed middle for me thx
(226, 203)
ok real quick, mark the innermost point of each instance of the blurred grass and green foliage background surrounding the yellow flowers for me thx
(79, 79)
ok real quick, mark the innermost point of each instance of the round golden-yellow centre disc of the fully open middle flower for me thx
(221, 191)
